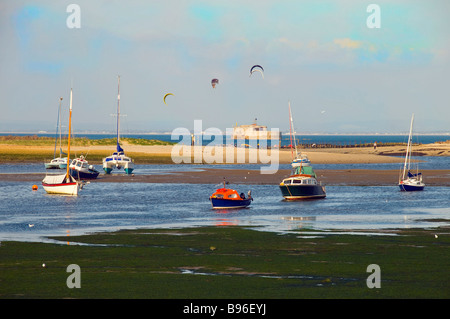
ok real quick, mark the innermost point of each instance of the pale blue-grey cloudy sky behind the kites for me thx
(338, 74)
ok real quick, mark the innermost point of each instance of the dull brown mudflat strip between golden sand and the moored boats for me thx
(347, 177)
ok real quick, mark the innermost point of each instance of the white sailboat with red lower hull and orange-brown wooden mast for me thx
(63, 184)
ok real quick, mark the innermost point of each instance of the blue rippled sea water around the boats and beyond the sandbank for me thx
(34, 216)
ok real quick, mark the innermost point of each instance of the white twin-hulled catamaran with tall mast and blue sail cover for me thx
(118, 159)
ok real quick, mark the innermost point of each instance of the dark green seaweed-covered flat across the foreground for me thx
(229, 262)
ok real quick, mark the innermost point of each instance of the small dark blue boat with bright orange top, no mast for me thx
(226, 198)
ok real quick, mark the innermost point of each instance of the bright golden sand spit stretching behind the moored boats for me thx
(162, 154)
